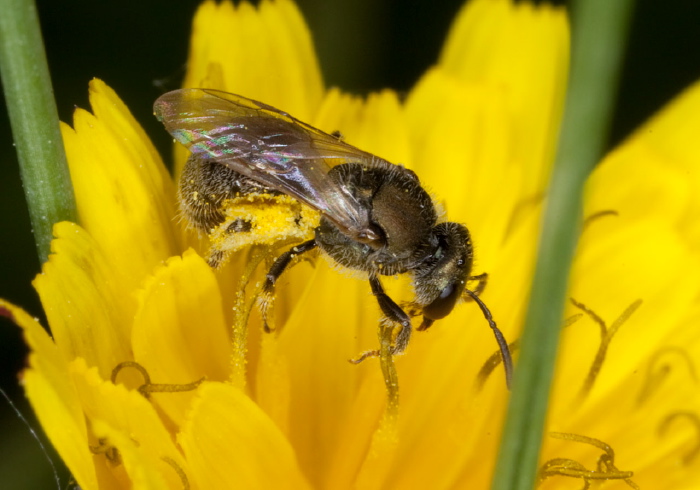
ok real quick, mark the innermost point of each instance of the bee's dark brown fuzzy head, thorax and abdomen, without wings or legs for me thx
(438, 256)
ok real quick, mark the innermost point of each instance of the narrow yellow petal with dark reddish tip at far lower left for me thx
(54, 398)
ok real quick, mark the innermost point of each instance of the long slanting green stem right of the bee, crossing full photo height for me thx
(598, 38)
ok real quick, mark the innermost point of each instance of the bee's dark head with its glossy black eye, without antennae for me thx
(441, 279)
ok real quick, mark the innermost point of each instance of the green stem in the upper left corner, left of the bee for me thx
(34, 119)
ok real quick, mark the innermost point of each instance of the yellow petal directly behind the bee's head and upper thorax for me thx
(464, 152)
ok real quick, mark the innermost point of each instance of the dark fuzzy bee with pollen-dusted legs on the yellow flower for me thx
(373, 216)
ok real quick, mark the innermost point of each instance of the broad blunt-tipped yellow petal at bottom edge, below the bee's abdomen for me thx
(230, 443)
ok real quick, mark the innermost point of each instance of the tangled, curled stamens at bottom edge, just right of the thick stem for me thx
(606, 469)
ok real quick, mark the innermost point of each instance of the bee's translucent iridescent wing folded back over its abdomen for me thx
(269, 146)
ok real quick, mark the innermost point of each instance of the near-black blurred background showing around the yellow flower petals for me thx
(363, 45)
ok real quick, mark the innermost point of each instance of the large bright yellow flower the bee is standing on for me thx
(138, 318)
